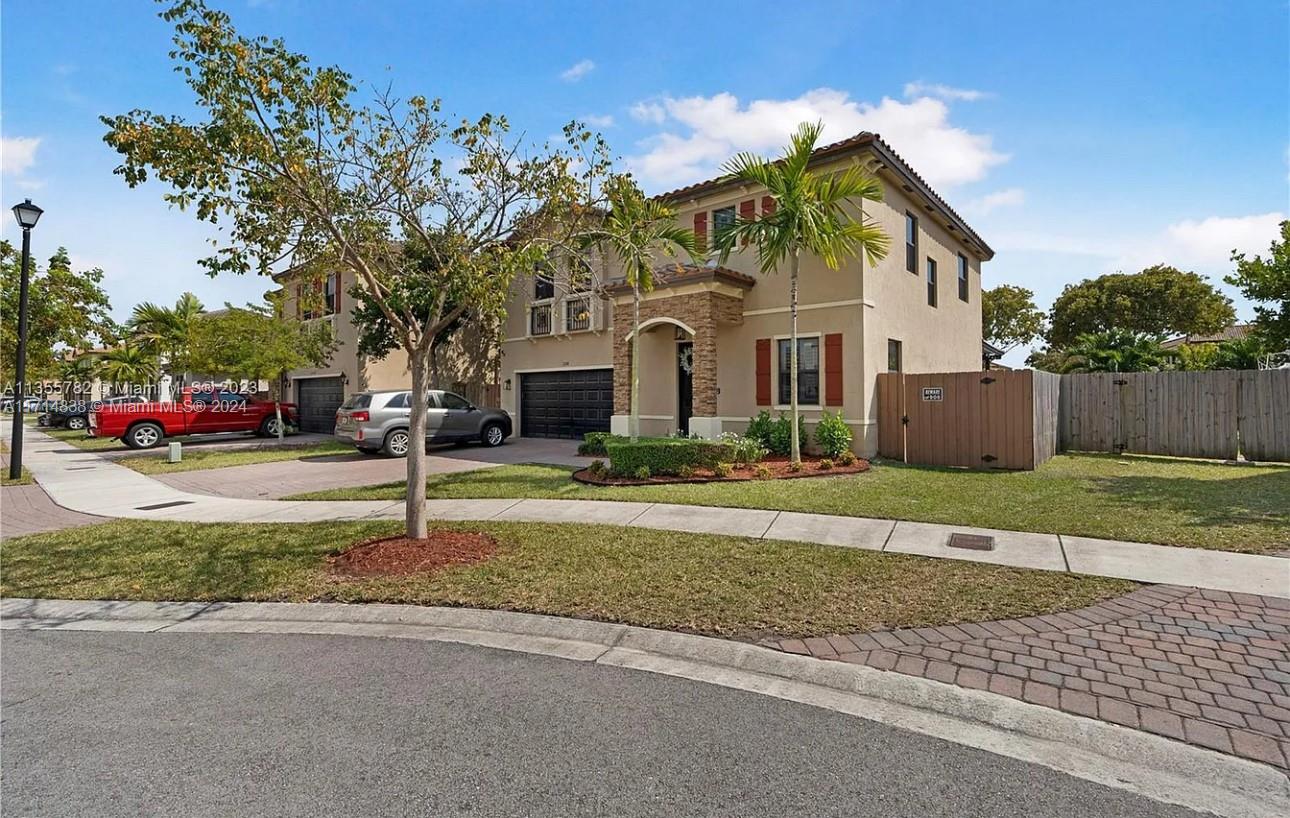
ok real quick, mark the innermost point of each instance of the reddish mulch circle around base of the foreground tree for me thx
(397, 557)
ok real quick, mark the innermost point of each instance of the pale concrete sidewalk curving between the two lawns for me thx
(90, 484)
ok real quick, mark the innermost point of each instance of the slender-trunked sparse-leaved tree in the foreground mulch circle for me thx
(296, 170)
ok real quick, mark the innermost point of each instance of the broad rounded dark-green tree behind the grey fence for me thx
(1159, 301)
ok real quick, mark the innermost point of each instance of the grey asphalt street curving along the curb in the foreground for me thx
(185, 724)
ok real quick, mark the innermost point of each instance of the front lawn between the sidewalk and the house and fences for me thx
(1169, 501)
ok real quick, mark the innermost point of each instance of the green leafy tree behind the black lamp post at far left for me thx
(65, 310)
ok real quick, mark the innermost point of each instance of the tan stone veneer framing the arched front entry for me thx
(702, 313)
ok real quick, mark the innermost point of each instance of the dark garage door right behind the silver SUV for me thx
(566, 404)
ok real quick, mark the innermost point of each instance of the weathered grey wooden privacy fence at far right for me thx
(1215, 415)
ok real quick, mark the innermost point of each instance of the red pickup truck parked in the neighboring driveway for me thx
(143, 426)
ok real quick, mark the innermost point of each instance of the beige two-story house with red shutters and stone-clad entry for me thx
(715, 339)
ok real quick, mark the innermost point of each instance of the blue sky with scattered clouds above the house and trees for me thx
(1077, 139)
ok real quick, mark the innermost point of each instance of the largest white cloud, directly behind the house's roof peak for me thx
(702, 132)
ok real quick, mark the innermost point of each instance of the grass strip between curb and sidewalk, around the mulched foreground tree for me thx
(691, 583)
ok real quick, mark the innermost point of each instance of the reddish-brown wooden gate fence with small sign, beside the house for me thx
(977, 420)
